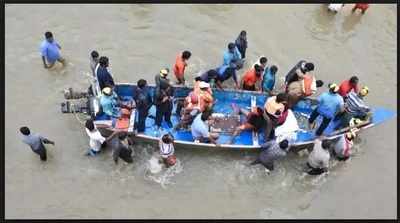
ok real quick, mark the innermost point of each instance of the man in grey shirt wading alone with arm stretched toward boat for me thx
(35, 141)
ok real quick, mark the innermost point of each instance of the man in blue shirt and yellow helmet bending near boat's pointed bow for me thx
(329, 105)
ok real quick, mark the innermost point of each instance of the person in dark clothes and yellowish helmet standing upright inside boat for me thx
(163, 97)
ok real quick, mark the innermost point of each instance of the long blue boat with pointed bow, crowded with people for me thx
(246, 140)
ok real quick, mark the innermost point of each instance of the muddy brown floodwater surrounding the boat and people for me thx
(139, 40)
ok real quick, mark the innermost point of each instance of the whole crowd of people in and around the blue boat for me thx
(343, 102)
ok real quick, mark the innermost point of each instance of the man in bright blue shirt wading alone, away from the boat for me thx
(50, 51)
